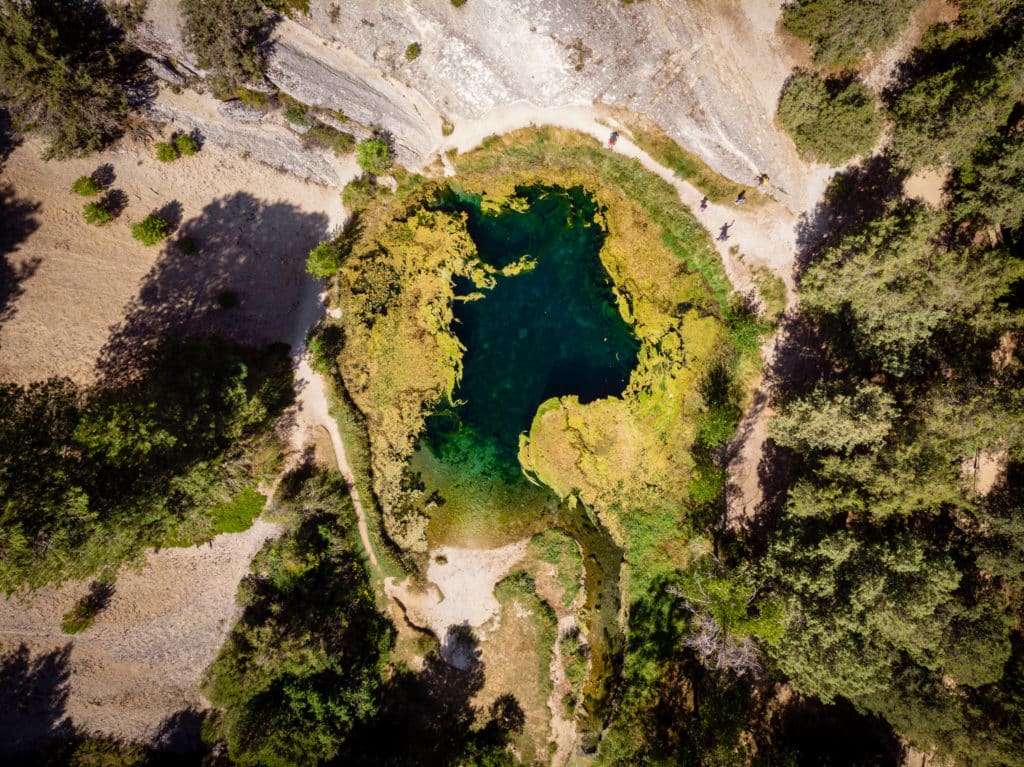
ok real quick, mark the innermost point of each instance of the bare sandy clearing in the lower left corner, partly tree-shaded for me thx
(142, 662)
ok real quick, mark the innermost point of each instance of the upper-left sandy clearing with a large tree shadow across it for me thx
(92, 288)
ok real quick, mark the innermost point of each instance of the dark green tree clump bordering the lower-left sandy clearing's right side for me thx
(304, 666)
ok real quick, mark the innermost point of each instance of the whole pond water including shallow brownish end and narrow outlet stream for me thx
(547, 332)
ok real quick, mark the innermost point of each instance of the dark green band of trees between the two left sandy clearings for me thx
(138, 463)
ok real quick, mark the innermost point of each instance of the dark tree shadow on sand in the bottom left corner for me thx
(33, 700)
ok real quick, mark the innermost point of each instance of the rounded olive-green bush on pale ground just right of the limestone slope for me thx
(831, 121)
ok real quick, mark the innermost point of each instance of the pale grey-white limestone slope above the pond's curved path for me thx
(709, 72)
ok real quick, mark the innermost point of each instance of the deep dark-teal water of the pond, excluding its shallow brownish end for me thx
(550, 331)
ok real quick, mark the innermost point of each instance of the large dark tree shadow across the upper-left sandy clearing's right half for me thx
(247, 247)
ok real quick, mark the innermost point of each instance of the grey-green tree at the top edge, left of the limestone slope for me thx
(227, 37)
